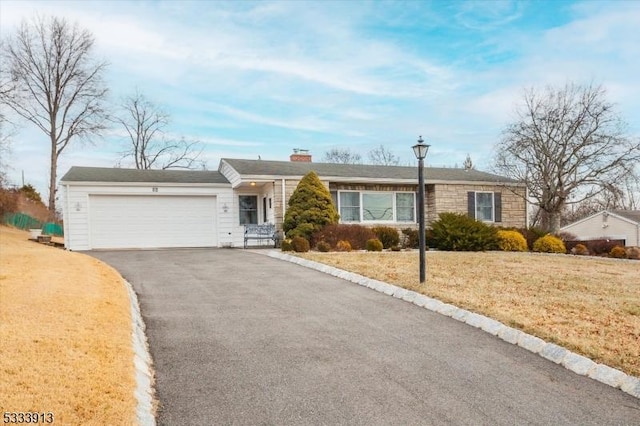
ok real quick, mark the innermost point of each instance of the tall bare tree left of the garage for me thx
(53, 82)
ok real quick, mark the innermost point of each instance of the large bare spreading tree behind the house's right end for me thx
(568, 145)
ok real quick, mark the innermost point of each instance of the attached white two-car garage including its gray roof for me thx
(145, 209)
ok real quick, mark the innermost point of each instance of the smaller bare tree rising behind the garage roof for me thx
(148, 144)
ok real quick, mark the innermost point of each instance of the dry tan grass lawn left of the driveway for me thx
(65, 328)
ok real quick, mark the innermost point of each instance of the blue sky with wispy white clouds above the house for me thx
(253, 79)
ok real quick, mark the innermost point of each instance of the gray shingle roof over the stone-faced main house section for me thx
(292, 168)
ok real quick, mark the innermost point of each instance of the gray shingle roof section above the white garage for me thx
(105, 174)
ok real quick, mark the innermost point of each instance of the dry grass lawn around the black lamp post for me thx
(586, 304)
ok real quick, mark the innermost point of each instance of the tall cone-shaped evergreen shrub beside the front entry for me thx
(310, 208)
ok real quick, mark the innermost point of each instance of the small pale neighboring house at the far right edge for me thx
(608, 224)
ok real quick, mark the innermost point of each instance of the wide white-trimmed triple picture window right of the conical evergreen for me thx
(379, 206)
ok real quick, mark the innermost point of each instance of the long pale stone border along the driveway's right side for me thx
(572, 361)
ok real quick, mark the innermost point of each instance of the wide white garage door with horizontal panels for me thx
(135, 221)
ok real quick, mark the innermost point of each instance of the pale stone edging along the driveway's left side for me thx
(142, 364)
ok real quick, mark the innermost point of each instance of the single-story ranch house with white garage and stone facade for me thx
(124, 208)
